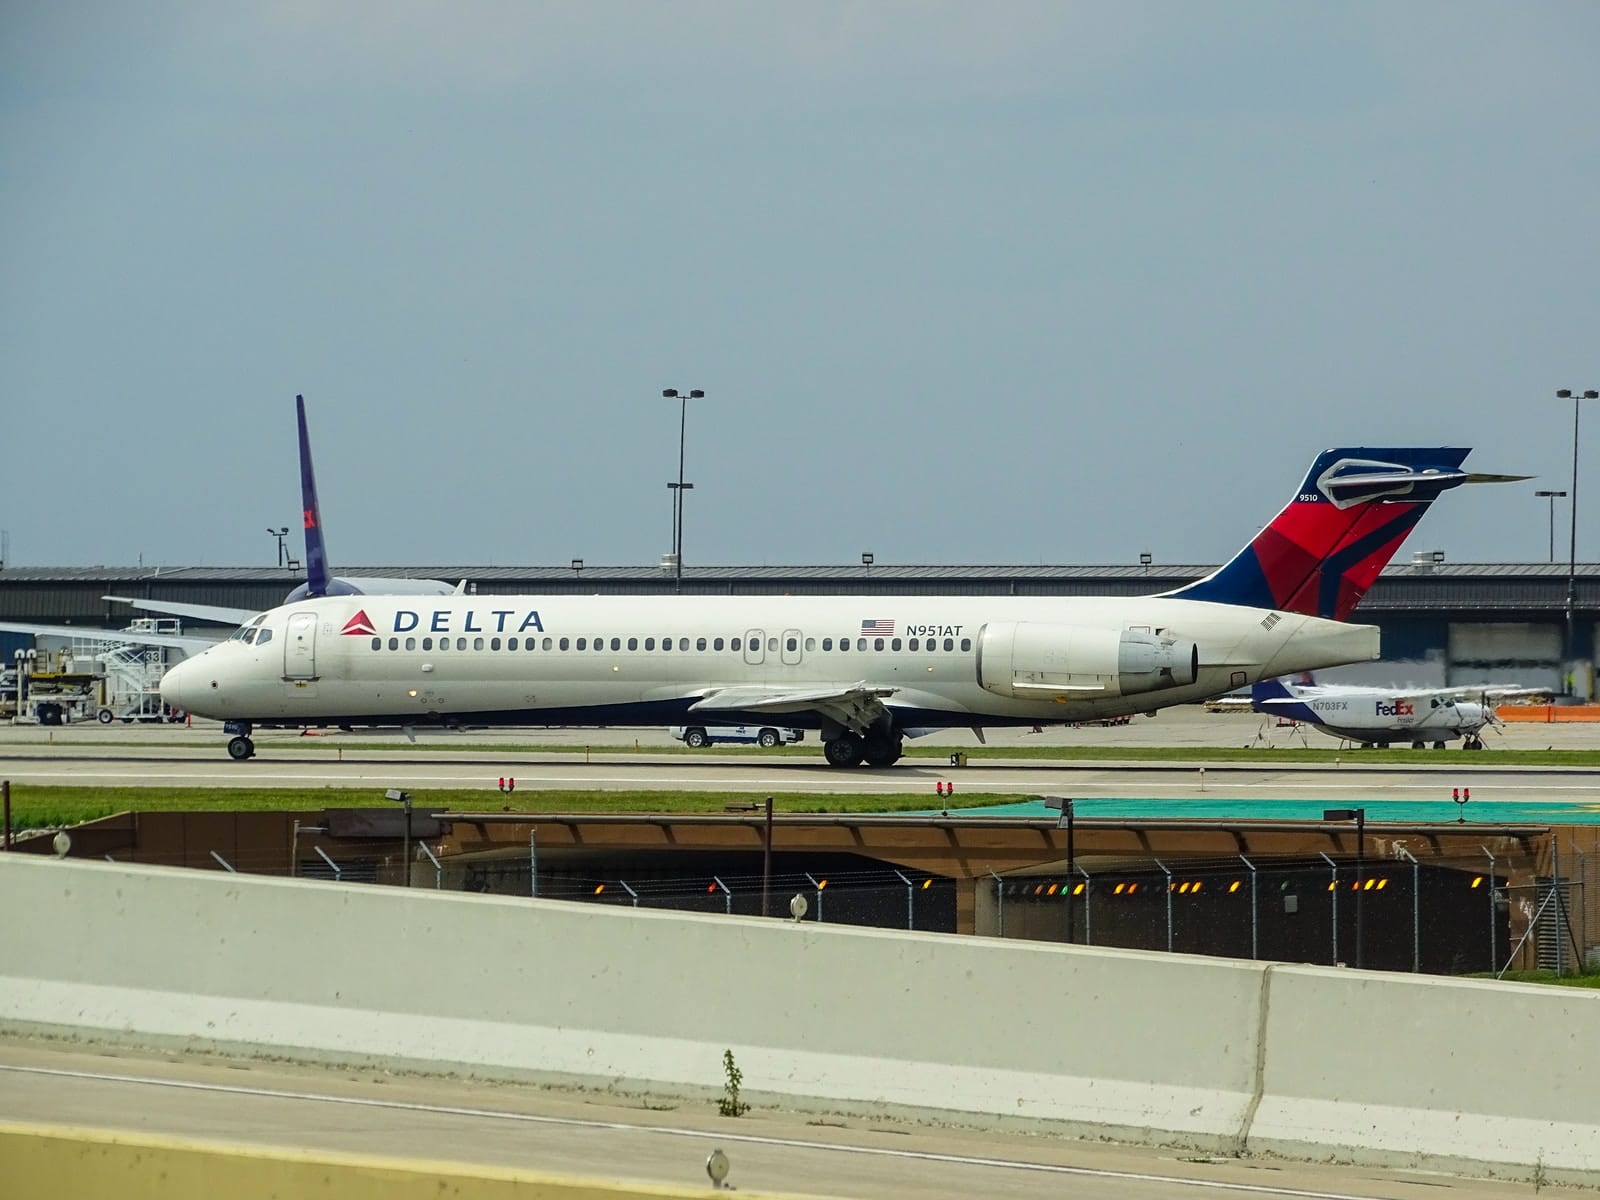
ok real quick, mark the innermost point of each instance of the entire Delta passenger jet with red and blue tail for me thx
(863, 671)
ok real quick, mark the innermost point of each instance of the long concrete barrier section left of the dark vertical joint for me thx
(1106, 1041)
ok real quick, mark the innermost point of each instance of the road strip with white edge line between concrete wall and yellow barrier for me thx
(609, 1138)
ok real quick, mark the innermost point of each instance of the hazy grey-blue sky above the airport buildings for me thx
(964, 284)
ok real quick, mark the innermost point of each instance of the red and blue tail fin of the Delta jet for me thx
(1326, 550)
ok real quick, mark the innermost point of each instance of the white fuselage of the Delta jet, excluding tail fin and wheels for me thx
(601, 660)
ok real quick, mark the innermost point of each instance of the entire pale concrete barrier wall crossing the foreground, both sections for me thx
(1204, 1052)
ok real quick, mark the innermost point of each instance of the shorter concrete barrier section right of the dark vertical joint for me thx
(1430, 1070)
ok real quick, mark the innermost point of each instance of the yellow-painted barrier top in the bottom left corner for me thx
(47, 1162)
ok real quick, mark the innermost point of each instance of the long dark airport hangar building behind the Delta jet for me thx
(1442, 623)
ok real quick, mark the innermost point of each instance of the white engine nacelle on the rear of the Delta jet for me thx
(1034, 660)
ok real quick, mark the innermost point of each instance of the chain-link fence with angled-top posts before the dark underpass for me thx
(1455, 914)
